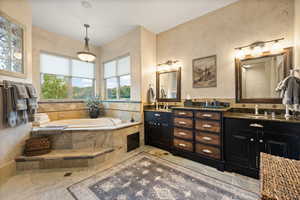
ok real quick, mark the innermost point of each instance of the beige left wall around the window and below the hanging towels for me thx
(11, 139)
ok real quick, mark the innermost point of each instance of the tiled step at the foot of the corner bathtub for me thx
(70, 158)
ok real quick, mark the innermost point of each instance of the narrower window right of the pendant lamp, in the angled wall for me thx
(117, 78)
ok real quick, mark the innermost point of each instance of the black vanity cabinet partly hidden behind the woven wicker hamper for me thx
(245, 139)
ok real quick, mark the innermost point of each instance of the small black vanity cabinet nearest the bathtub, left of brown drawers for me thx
(158, 129)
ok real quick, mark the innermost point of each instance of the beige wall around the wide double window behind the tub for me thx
(45, 41)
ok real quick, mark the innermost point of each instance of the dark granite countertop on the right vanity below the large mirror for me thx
(278, 118)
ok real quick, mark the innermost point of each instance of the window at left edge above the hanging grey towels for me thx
(11, 47)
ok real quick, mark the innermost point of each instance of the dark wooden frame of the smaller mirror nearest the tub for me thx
(178, 98)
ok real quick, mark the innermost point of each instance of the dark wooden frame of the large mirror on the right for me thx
(288, 62)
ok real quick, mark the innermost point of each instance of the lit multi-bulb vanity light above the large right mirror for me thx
(259, 48)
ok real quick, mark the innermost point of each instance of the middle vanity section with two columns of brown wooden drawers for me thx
(197, 135)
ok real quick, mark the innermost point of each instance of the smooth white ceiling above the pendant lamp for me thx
(110, 19)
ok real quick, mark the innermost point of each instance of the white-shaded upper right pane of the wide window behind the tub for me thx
(82, 69)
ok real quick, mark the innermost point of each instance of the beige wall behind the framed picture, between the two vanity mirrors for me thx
(219, 32)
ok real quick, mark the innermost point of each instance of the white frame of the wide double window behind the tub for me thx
(68, 77)
